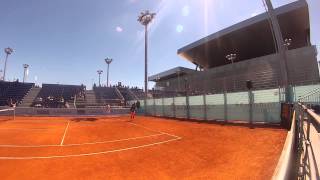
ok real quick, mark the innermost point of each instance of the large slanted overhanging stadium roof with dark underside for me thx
(251, 38)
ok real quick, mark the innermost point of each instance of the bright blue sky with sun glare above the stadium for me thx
(66, 41)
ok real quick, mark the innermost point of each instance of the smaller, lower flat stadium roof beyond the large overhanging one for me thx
(170, 73)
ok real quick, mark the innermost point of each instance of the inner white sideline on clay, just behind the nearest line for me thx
(88, 143)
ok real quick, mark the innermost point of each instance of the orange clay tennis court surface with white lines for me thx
(146, 148)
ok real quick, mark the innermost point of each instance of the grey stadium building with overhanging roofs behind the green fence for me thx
(255, 56)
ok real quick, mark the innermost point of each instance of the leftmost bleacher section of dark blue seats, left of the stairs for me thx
(14, 91)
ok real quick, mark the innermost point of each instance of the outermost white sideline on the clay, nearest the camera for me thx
(88, 154)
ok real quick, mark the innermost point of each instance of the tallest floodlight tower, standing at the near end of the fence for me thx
(145, 18)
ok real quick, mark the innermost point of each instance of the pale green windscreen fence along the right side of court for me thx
(266, 105)
